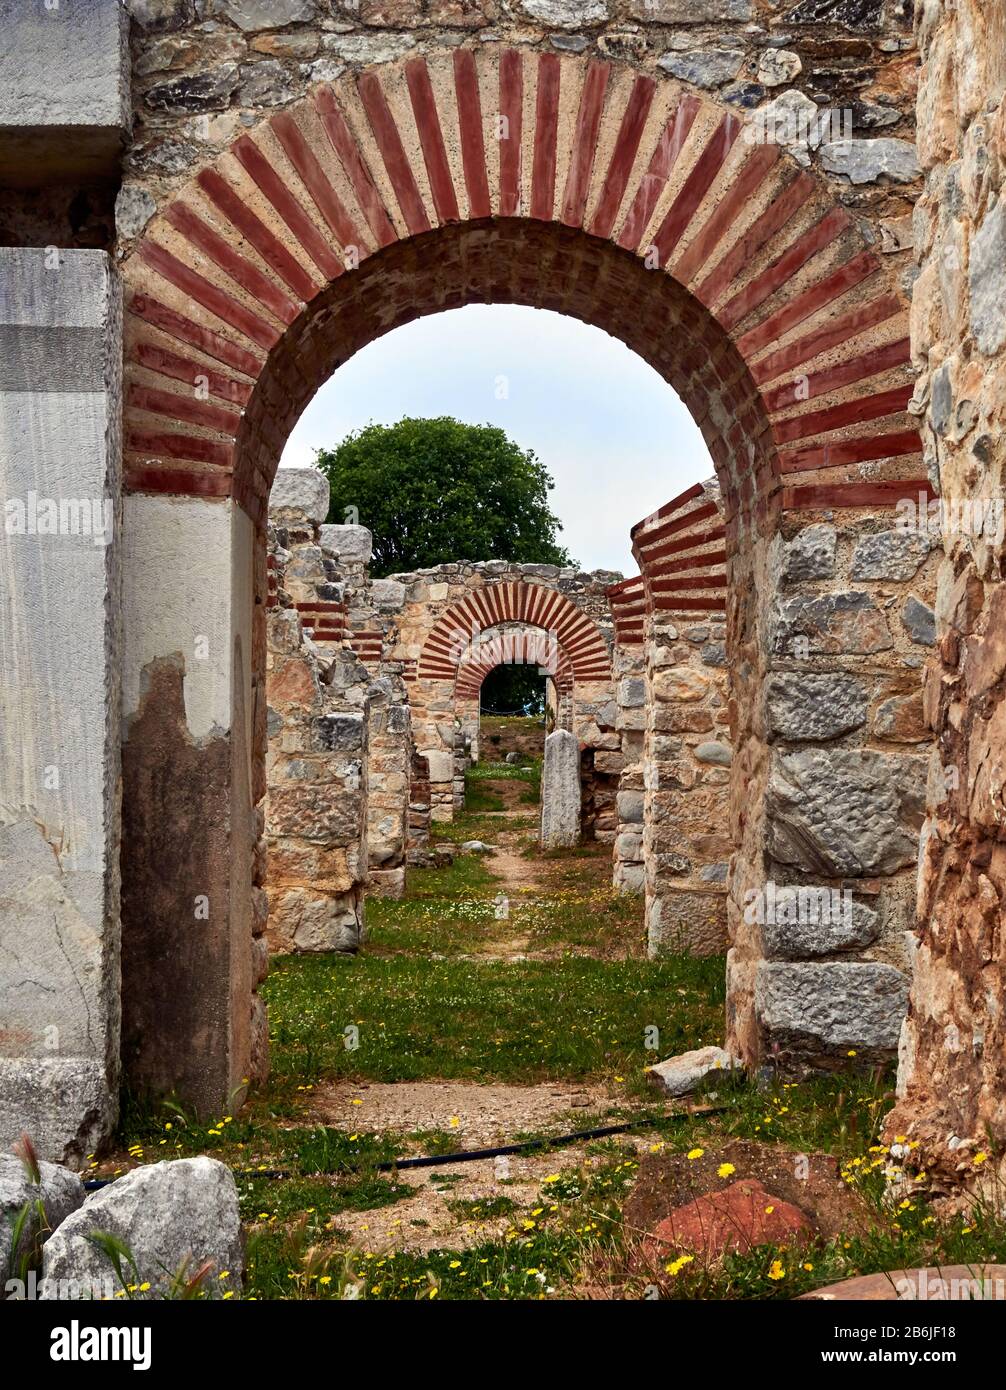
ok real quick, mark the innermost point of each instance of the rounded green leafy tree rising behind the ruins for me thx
(434, 491)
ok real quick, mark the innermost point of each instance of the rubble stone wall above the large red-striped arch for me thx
(204, 70)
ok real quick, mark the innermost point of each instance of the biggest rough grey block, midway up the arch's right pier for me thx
(846, 812)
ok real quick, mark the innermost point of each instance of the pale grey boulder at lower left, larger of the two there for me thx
(170, 1216)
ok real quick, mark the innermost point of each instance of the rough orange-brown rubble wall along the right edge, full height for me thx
(954, 1045)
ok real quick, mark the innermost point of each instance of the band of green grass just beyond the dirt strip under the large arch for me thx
(531, 1021)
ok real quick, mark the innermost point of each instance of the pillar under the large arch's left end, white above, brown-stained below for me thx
(191, 780)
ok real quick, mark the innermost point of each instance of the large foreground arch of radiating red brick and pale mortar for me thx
(618, 197)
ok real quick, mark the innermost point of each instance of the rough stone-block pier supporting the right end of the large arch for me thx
(829, 787)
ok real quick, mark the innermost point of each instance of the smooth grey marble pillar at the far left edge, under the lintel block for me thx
(60, 365)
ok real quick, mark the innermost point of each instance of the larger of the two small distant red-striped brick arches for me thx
(533, 605)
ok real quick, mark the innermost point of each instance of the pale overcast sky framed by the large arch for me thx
(611, 432)
